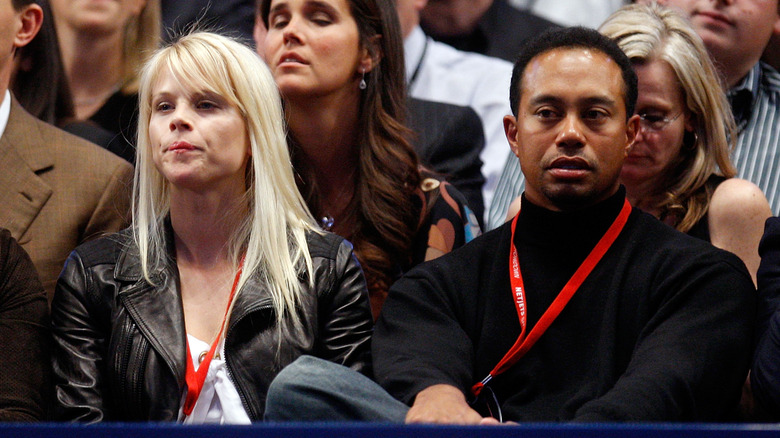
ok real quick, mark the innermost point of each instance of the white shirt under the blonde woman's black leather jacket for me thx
(219, 402)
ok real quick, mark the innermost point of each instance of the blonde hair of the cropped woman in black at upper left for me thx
(141, 38)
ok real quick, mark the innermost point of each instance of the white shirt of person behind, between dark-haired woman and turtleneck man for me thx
(440, 73)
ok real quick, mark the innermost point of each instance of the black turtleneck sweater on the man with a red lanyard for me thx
(660, 330)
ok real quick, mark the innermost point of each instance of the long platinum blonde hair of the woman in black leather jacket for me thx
(273, 232)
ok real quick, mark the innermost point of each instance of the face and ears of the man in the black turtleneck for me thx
(571, 133)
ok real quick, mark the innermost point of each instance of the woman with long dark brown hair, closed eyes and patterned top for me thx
(339, 66)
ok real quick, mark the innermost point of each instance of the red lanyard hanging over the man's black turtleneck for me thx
(523, 343)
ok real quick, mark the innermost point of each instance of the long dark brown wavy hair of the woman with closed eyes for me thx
(386, 218)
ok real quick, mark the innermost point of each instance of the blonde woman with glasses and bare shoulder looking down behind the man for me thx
(678, 168)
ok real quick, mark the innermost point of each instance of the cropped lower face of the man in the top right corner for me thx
(735, 32)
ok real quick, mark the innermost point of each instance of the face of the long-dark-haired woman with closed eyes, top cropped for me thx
(313, 47)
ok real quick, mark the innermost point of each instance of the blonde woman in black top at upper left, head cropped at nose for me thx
(103, 45)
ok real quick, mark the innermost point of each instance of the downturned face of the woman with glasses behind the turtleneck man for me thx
(665, 119)
